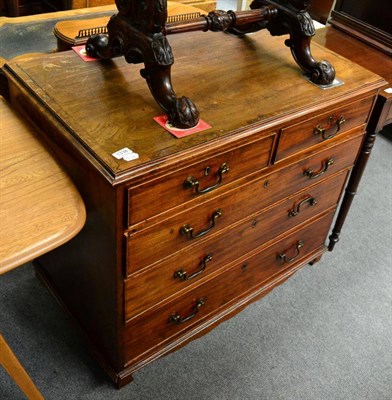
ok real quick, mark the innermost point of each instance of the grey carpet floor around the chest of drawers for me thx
(324, 334)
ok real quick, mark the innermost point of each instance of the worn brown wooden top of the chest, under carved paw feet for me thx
(239, 85)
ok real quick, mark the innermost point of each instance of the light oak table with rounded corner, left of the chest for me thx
(40, 209)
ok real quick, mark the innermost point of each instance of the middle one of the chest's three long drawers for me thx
(178, 273)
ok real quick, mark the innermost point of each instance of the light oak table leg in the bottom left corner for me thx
(12, 365)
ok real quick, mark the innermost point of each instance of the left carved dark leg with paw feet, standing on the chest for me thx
(137, 33)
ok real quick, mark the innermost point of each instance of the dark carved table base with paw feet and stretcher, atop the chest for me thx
(138, 32)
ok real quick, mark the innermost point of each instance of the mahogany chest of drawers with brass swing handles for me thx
(194, 229)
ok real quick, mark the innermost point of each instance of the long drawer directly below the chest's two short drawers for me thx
(149, 245)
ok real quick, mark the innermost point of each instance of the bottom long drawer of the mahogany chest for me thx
(156, 328)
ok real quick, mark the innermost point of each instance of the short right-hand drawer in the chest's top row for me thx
(325, 126)
